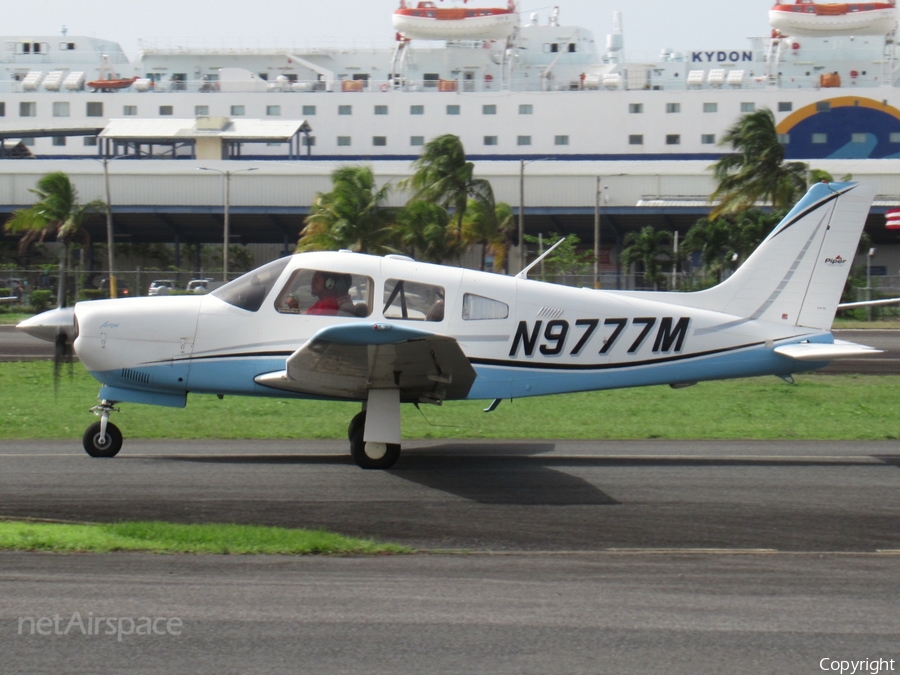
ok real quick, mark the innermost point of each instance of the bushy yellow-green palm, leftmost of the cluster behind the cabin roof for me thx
(351, 216)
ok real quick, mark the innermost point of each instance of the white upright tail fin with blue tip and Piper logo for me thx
(798, 272)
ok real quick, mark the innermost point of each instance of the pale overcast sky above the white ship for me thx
(650, 25)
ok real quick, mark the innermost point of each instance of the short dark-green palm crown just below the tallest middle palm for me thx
(424, 229)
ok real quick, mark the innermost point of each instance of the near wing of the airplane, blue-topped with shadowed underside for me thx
(345, 361)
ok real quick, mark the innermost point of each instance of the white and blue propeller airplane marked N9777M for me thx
(390, 330)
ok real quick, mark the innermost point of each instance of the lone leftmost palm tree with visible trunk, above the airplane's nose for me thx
(58, 212)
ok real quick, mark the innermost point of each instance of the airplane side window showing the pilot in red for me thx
(323, 292)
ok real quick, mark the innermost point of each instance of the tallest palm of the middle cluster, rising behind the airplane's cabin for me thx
(442, 175)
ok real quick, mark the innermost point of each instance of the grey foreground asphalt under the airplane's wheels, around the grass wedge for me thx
(585, 557)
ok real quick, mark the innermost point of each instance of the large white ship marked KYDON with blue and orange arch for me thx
(511, 86)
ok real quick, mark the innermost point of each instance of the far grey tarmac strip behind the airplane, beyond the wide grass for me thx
(17, 346)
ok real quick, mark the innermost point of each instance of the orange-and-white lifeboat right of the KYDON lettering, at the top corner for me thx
(808, 18)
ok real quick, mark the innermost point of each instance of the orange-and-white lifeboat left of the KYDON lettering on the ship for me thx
(426, 21)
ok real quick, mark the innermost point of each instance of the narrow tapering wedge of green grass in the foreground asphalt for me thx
(161, 537)
